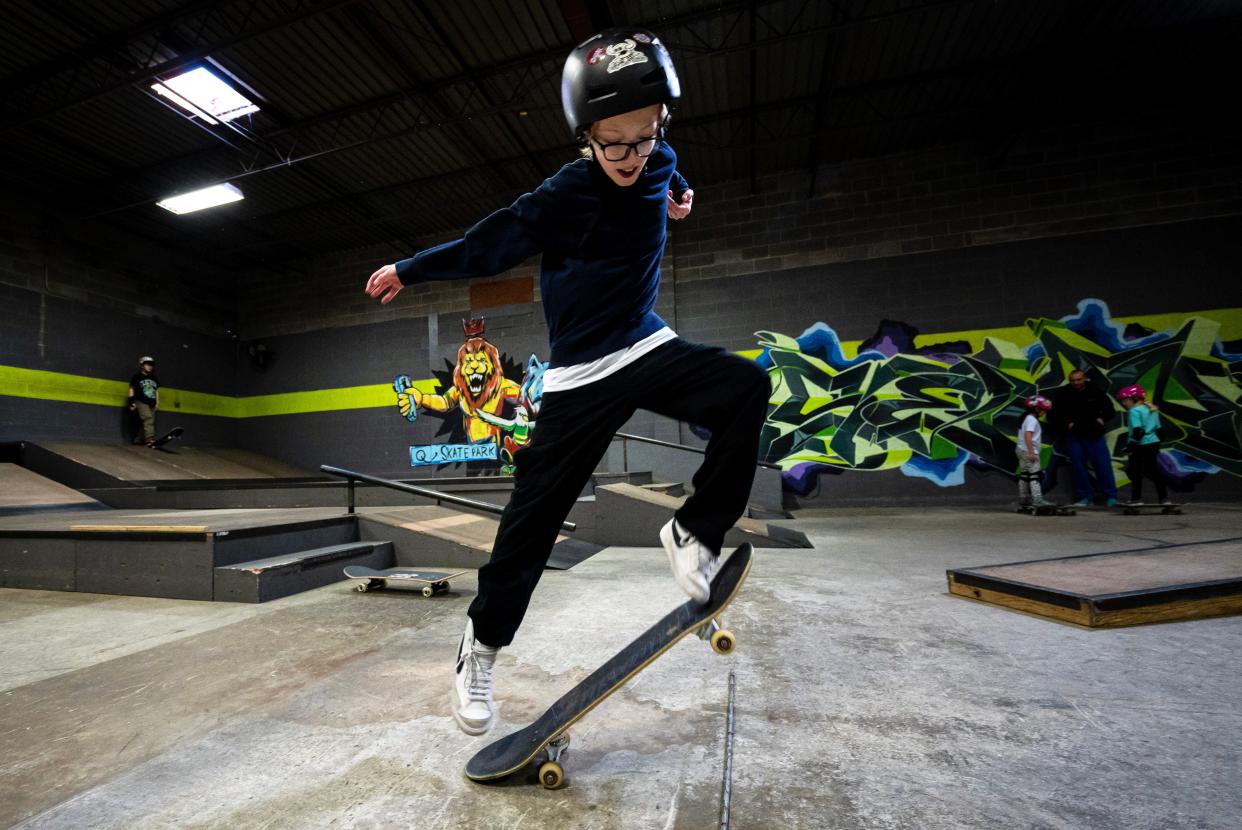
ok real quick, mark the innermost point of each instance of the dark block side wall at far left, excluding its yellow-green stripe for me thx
(83, 301)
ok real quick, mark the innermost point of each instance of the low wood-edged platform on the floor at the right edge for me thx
(1163, 585)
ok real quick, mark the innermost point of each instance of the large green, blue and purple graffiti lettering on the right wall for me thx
(933, 411)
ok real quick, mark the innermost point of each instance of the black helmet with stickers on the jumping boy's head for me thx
(617, 71)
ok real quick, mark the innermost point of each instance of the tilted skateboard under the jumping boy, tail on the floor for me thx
(548, 737)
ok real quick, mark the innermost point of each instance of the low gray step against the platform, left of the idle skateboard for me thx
(260, 581)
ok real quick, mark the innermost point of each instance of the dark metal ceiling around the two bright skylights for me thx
(397, 121)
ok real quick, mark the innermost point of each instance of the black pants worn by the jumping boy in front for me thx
(701, 385)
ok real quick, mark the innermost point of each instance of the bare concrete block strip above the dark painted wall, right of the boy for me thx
(1153, 170)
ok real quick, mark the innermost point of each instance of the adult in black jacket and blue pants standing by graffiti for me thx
(1082, 414)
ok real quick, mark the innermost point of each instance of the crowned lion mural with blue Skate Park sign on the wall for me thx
(497, 414)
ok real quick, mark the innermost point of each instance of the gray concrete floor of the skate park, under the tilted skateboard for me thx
(866, 698)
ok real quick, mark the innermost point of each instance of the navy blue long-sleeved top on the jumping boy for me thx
(602, 247)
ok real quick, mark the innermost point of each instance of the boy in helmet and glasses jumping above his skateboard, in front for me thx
(601, 226)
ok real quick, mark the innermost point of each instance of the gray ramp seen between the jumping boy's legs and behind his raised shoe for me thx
(633, 516)
